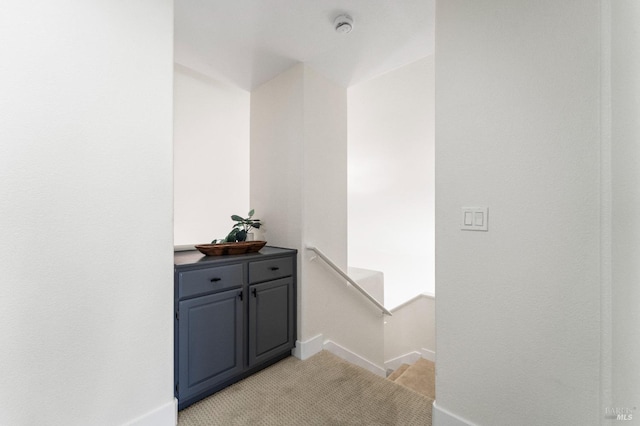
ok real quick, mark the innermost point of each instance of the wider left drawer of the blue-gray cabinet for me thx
(193, 283)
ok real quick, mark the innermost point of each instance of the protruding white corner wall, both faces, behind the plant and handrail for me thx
(298, 181)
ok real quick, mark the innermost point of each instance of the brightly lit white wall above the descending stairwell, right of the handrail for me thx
(391, 179)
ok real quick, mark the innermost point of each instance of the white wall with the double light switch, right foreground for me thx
(517, 130)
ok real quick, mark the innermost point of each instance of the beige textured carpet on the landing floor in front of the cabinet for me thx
(323, 390)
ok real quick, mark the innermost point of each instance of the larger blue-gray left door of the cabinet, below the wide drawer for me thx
(209, 341)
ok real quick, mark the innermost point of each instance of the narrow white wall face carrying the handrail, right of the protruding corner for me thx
(329, 303)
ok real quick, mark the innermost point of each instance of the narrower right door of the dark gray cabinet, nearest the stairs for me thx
(271, 319)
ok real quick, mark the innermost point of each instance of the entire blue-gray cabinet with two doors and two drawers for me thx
(234, 316)
